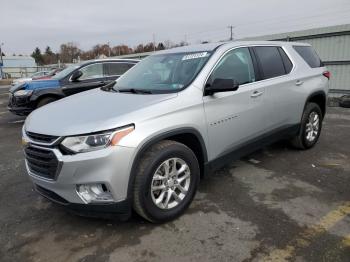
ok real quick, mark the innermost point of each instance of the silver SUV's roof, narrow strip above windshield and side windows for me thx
(212, 46)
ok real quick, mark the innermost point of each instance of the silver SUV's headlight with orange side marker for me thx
(80, 144)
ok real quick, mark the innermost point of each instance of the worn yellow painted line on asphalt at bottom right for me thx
(304, 239)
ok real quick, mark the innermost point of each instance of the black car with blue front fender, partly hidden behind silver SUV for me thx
(26, 97)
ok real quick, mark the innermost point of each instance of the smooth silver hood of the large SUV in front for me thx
(92, 111)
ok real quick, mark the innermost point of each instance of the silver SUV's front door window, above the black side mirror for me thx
(236, 65)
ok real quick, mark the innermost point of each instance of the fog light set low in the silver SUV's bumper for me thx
(94, 193)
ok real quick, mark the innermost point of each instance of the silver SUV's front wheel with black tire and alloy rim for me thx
(166, 181)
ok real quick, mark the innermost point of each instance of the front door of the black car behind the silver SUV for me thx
(91, 78)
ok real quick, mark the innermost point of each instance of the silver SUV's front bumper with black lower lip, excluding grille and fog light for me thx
(110, 166)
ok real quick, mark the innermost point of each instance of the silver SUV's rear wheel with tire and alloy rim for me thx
(310, 128)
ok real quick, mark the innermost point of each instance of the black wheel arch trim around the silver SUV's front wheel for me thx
(187, 136)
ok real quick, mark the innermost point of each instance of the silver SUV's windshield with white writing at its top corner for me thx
(163, 73)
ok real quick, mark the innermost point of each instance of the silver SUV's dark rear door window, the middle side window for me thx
(270, 61)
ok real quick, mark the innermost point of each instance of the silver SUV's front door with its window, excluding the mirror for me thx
(234, 117)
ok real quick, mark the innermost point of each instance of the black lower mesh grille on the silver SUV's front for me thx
(41, 162)
